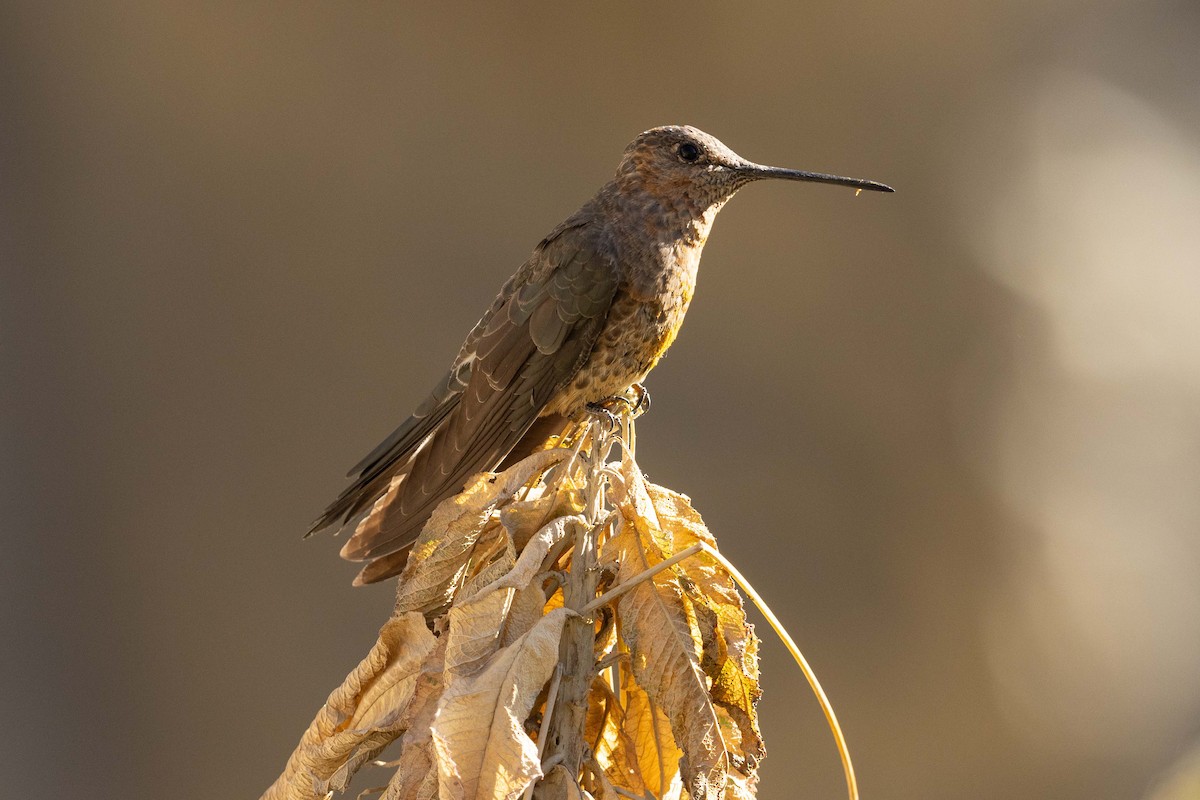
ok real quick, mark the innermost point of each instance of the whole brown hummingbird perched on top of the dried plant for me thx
(589, 315)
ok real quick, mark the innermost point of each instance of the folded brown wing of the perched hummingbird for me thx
(520, 356)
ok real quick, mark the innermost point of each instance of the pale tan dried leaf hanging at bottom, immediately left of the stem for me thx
(483, 750)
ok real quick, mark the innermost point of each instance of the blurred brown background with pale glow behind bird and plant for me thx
(952, 435)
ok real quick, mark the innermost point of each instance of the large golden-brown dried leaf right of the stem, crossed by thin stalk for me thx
(710, 688)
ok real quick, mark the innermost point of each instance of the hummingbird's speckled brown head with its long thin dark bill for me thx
(681, 164)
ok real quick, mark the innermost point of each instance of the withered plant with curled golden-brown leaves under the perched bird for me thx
(565, 629)
